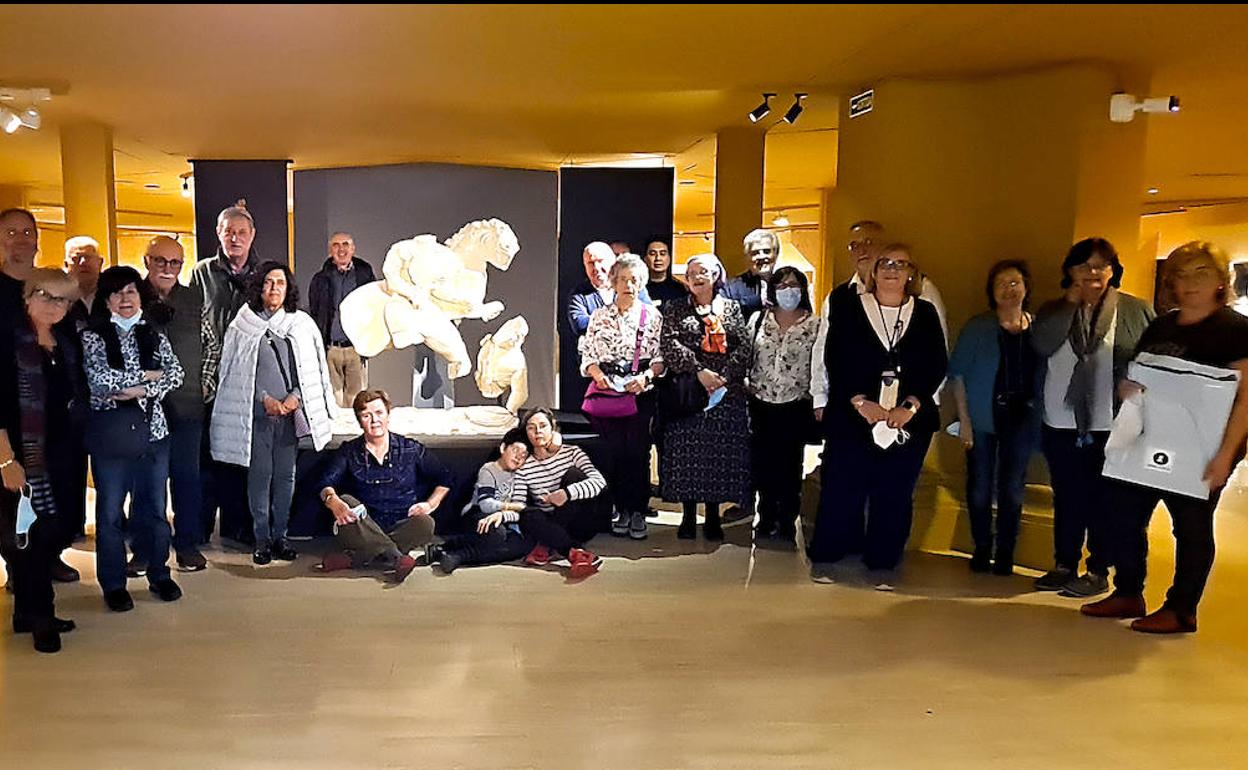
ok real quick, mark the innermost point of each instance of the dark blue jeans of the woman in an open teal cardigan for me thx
(1003, 459)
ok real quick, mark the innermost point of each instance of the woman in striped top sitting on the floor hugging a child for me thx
(557, 485)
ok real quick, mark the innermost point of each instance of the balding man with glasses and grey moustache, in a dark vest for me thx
(179, 314)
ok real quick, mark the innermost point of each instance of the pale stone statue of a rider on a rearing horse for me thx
(429, 288)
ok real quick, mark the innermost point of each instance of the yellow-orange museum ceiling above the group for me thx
(540, 87)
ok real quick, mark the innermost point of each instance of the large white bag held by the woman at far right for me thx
(1185, 412)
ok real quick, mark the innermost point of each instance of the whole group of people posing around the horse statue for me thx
(212, 390)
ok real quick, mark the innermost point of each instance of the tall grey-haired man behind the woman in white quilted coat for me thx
(223, 283)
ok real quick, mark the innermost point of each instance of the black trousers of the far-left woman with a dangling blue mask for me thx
(31, 570)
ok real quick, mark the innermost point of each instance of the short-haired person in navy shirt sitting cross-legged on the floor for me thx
(383, 491)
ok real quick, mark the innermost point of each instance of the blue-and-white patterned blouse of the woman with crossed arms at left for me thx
(104, 380)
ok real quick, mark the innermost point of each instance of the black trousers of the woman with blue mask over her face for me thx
(778, 442)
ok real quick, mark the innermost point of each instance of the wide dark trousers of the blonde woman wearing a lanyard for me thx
(862, 480)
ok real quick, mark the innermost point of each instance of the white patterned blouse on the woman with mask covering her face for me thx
(782, 360)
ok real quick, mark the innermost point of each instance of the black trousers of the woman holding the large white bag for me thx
(1133, 509)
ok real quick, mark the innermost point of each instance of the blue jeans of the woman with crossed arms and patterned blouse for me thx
(143, 479)
